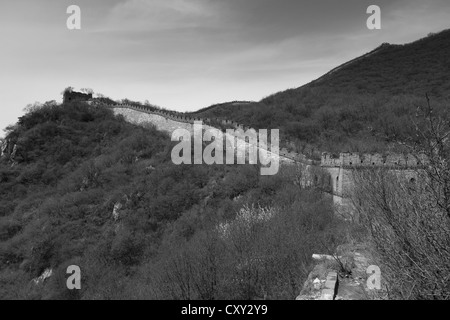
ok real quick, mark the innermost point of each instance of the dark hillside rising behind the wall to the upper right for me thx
(363, 105)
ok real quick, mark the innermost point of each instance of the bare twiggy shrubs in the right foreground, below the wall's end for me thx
(408, 215)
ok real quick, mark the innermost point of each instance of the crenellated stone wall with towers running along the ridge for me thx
(338, 181)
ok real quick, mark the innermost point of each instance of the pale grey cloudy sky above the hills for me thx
(188, 54)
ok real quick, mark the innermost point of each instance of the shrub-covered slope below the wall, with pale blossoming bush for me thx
(83, 187)
